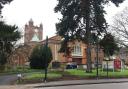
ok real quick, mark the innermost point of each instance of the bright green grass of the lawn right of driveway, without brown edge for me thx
(75, 72)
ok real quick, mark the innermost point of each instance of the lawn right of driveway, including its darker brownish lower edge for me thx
(56, 75)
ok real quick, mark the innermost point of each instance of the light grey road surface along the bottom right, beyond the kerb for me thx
(92, 86)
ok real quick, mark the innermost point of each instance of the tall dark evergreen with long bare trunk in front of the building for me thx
(80, 18)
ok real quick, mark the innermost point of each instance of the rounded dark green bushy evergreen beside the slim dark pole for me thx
(39, 56)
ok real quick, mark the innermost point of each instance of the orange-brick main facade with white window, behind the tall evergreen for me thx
(77, 51)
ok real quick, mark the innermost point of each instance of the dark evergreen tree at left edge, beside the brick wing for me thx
(8, 37)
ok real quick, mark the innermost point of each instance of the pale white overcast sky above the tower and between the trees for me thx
(19, 12)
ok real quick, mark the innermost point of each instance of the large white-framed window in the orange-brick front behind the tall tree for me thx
(77, 51)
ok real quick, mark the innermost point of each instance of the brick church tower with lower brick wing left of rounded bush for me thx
(32, 36)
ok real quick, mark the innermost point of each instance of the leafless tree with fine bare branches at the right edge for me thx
(120, 27)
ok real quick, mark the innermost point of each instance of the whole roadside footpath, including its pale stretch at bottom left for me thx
(63, 83)
